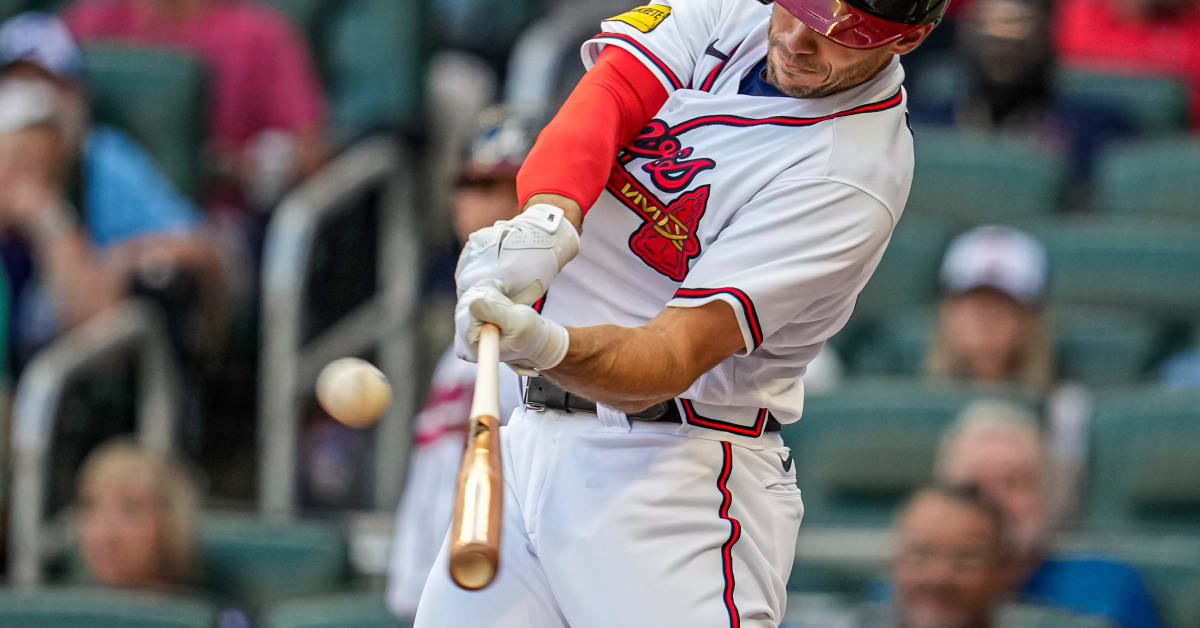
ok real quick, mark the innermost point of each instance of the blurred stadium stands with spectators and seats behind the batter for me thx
(203, 202)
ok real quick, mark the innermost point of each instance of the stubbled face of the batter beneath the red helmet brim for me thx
(805, 64)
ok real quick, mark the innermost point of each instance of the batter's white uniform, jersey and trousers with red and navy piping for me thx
(781, 207)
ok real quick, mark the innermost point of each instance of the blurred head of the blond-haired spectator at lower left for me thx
(137, 519)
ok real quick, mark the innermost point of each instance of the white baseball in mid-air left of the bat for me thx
(353, 392)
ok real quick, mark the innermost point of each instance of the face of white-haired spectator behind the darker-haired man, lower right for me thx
(1007, 465)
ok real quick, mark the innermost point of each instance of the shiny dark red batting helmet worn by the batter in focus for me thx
(866, 23)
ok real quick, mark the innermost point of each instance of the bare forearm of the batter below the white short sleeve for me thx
(626, 368)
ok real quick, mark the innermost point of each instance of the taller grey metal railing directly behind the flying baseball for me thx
(289, 366)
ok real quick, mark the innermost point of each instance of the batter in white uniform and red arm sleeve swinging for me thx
(705, 210)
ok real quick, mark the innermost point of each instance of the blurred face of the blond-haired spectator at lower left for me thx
(123, 531)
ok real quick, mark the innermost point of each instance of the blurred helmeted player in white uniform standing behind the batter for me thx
(485, 194)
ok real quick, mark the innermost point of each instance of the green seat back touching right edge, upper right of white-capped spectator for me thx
(1151, 178)
